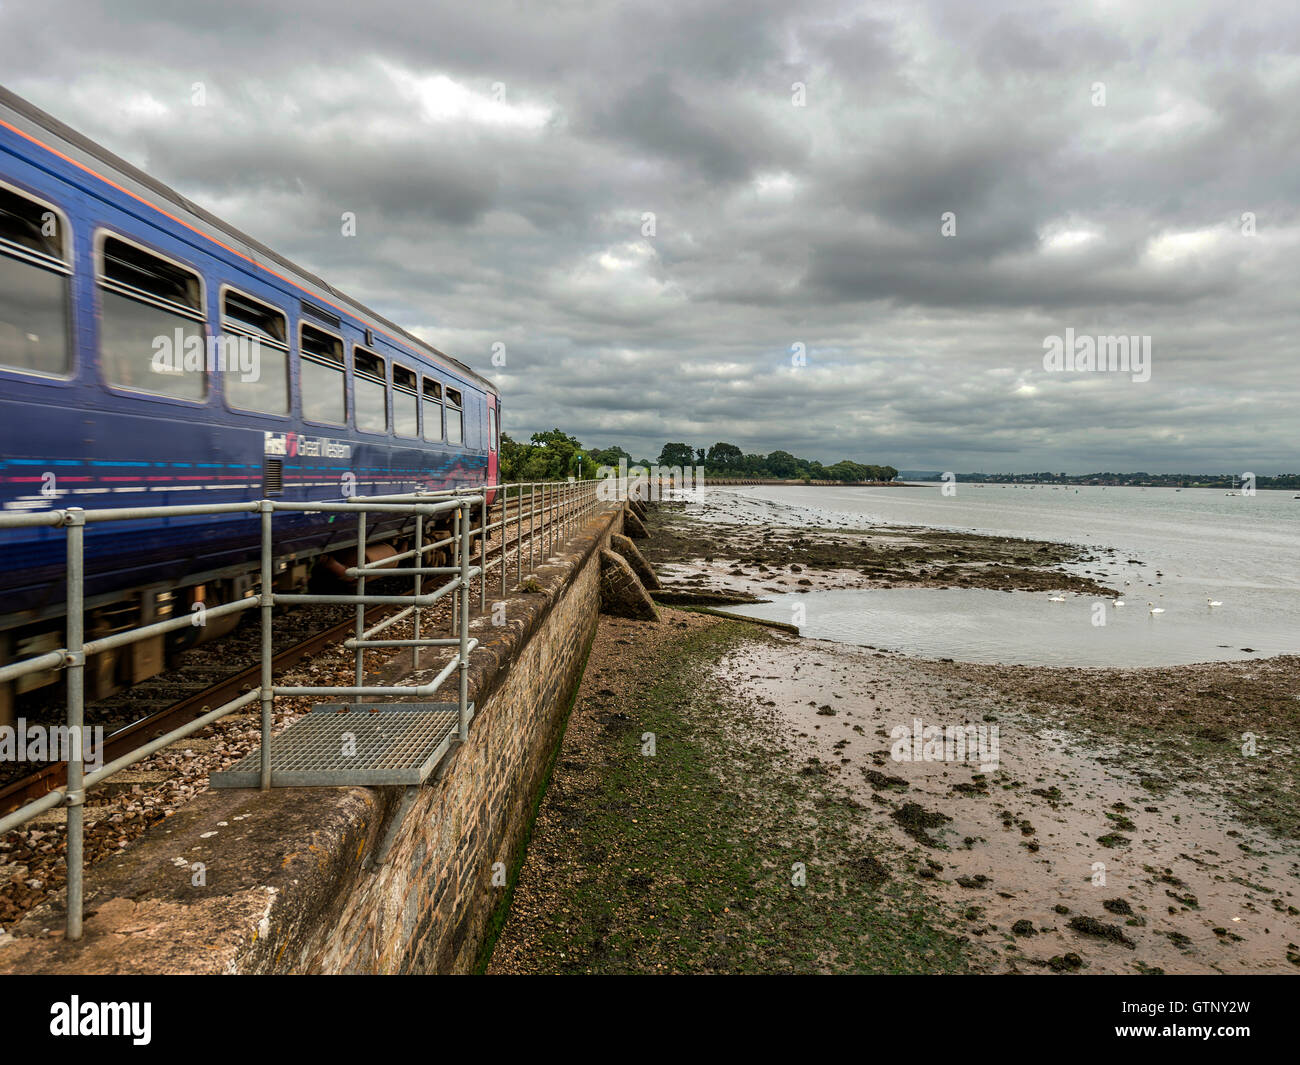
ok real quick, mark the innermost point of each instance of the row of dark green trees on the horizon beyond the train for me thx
(557, 456)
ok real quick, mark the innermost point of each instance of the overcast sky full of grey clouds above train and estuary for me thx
(1111, 168)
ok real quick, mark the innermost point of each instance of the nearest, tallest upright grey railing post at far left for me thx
(76, 666)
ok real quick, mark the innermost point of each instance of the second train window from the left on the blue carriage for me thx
(151, 330)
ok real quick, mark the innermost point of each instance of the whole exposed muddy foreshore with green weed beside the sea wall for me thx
(1123, 830)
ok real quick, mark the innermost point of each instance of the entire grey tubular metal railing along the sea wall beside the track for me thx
(552, 510)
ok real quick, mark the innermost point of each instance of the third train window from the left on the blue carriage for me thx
(255, 354)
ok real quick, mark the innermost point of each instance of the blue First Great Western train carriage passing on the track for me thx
(150, 356)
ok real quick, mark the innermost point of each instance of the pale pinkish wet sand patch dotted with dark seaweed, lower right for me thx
(1068, 826)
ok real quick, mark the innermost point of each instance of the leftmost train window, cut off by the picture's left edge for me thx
(34, 288)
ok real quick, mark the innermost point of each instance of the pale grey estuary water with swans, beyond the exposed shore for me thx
(1173, 549)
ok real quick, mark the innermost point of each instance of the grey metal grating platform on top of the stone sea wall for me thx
(363, 743)
